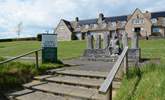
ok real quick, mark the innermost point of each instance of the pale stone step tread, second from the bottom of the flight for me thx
(67, 90)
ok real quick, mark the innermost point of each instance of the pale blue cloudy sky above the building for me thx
(39, 16)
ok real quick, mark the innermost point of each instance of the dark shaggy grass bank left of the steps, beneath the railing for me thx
(14, 74)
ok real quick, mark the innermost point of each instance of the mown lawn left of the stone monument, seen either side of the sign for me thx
(66, 50)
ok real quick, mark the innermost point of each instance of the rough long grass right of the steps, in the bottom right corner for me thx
(147, 83)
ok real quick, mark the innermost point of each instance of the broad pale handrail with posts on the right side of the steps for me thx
(106, 87)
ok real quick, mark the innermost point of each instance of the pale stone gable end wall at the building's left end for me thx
(62, 31)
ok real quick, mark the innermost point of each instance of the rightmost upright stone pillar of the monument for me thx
(134, 40)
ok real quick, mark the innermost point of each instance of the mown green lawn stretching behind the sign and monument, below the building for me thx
(66, 50)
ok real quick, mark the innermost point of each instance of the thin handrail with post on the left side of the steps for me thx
(29, 53)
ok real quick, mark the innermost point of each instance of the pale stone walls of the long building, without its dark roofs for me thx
(64, 34)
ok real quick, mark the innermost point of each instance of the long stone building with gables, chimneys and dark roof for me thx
(147, 23)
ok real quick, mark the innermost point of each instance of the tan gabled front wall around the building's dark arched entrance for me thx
(145, 25)
